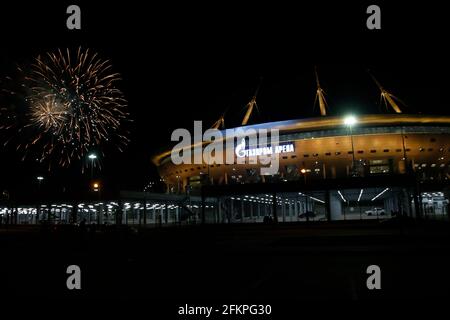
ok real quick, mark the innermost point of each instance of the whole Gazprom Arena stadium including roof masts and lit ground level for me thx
(330, 168)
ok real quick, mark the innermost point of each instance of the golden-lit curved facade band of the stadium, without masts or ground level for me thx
(324, 148)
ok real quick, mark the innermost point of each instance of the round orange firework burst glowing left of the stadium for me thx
(71, 106)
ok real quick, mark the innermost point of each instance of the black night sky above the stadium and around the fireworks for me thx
(181, 63)
